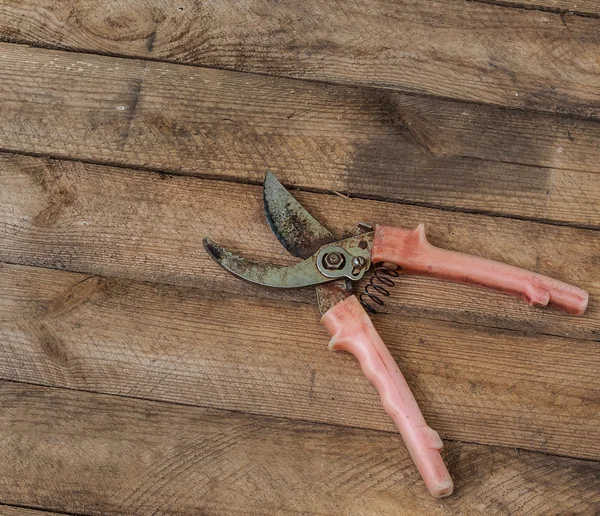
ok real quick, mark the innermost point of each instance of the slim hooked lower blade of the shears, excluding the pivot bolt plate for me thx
(302, 274)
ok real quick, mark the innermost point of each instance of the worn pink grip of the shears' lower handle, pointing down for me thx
(351, 330)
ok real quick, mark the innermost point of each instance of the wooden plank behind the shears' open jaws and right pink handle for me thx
(144, 226)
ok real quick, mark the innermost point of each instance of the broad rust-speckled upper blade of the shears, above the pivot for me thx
(297, 230)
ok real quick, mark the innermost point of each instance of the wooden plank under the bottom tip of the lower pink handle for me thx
(104, 455)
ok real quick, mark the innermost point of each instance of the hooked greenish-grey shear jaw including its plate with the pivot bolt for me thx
(349, 258)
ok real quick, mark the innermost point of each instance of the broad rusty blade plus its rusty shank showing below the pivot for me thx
(301, 235)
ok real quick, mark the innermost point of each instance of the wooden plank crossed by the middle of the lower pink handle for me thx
(270, 357)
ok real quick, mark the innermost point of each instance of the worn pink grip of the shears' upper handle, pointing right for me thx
(410, 249)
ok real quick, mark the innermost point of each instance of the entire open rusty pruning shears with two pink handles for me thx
(331, 265)
